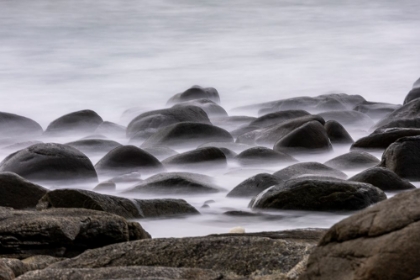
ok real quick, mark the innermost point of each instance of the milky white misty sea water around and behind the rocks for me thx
(110, 56)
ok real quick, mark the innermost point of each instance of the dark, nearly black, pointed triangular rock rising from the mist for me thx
(310, 137)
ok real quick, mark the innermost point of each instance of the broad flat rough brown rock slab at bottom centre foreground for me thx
(265, 253)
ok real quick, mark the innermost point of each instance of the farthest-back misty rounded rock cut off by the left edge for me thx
(12, 125)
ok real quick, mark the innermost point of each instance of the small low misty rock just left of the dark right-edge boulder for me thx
(353, 160)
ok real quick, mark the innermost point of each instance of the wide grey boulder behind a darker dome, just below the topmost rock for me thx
(153, 120)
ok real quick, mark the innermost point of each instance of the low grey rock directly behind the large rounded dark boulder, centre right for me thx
(308, 168)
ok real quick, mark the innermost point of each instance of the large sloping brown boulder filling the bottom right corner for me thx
(380, 242)
